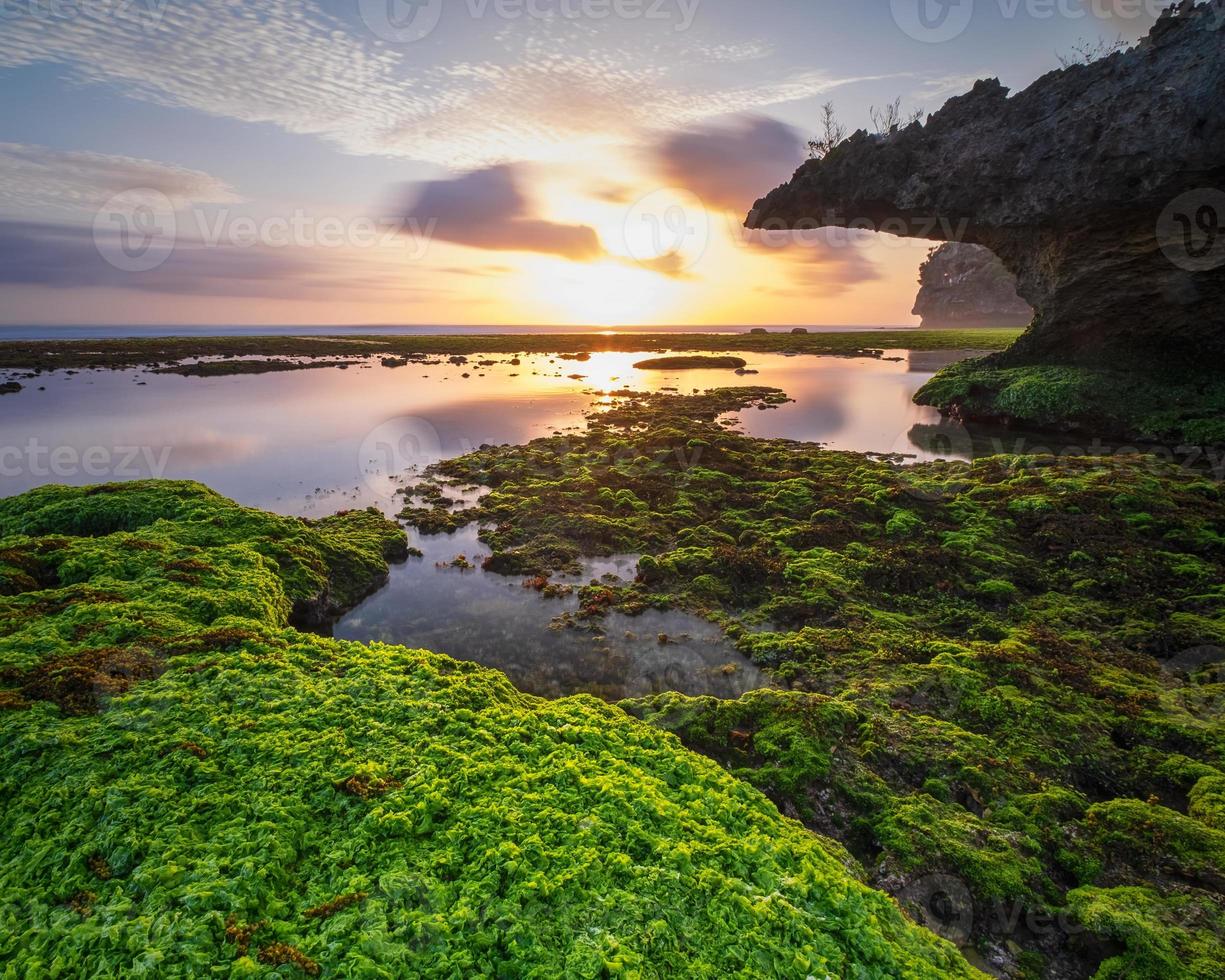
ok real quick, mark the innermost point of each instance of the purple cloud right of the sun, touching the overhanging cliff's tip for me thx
(728, 165)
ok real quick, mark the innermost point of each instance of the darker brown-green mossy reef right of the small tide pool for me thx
(1003, 683)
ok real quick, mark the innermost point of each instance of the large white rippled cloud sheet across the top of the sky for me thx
(298, 68)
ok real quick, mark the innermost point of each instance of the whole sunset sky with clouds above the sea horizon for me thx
(500, 162)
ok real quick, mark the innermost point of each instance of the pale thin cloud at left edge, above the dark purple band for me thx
(37, 179)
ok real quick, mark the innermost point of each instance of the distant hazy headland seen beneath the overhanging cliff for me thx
(967, 286)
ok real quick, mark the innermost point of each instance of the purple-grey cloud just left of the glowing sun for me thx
(488, 210)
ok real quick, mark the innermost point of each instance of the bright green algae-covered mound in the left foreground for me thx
(275, 803)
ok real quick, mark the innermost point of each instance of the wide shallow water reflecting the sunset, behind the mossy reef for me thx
(298, 443)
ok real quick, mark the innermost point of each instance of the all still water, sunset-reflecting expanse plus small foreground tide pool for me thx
(315, 442)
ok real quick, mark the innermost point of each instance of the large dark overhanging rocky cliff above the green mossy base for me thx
(1101, 187)
